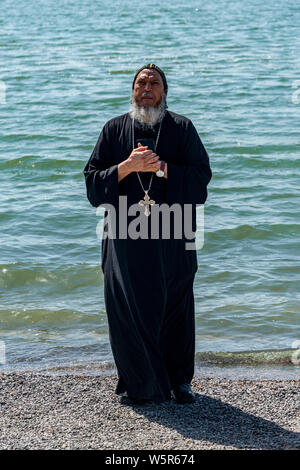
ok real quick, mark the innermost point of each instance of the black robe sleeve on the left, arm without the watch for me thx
(101, 176)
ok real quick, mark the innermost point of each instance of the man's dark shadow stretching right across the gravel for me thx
(214, 421)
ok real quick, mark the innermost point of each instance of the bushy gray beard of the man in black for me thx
(148, 116)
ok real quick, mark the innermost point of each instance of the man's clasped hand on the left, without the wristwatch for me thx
(140, 159)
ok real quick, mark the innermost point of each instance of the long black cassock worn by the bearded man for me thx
(148, 283)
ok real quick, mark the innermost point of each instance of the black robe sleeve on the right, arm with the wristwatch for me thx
(187, 183)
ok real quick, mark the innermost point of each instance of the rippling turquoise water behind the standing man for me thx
(66, 68)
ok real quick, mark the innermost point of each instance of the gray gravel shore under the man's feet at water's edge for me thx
(82, 412)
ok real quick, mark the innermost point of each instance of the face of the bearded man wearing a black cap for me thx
(148, 88)
